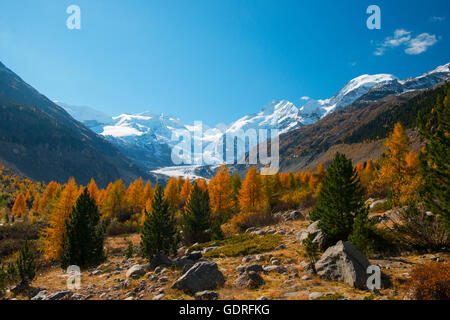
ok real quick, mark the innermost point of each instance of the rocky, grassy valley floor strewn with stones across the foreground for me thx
(282, 273)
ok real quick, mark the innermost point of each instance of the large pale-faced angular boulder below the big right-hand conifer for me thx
(344, 263)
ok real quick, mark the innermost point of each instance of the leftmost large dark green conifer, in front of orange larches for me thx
(85, 234)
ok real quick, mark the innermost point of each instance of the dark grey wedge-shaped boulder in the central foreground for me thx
(204, 275)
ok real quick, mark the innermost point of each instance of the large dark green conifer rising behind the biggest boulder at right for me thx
(340, 198)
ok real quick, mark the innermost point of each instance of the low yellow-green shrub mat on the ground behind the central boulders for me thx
(253, 245)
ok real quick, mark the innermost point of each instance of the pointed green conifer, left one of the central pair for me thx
(159, 234)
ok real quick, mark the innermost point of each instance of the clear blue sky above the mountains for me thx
(214, 60)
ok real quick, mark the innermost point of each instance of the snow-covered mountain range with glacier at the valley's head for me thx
(148, 138)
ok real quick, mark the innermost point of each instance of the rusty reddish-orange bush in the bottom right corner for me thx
(430, 282)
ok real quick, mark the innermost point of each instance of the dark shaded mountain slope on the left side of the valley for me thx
(42, 141)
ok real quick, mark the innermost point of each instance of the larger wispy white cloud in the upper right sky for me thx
(401, 37)
